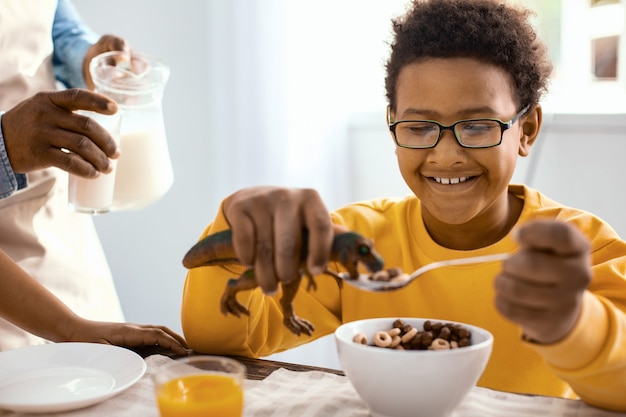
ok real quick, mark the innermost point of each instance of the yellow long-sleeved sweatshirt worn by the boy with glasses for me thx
(590, 363)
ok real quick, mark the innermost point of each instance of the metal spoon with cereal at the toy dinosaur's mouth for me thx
(364, 282)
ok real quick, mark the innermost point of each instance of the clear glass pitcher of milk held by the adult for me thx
(144, 169)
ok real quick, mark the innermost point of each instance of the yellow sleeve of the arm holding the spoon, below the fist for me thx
(592, 358)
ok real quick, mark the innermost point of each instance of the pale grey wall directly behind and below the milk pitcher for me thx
(145, 248)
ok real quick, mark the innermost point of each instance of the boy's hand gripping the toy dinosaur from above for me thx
(267, 224)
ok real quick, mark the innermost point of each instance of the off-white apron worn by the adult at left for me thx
(56, 246)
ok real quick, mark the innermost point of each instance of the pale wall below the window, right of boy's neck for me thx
(579, 161)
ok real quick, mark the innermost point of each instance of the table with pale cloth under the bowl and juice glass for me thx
(279, 389)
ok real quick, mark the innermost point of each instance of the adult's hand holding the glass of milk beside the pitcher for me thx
(43, 131)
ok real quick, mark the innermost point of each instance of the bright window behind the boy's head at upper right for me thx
(584, 41)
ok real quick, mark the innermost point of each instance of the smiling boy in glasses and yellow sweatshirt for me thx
(464, 80)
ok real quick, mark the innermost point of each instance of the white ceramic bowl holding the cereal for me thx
(410, 383)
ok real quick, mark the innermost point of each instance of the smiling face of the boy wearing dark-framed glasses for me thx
(475, 181)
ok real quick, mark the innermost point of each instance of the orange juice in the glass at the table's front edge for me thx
(201, 395)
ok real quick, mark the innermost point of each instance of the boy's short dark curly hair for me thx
(487, 30)
